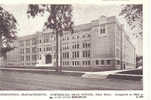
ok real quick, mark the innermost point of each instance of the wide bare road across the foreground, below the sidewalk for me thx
(12, 80)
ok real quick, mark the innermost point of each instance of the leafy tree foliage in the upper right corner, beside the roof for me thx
(134, 17)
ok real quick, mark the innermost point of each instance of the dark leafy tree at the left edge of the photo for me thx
(7, 32)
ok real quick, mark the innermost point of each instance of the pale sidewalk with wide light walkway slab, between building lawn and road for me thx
(96, 75)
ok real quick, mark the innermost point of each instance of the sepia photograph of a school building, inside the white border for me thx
(71, 47)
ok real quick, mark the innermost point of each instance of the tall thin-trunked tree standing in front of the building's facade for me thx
(59, 19)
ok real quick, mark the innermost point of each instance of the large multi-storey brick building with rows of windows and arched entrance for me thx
(100, 43)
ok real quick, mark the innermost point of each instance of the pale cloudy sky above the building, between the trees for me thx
(81, 14)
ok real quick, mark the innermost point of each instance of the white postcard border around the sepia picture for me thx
(146, 48)
